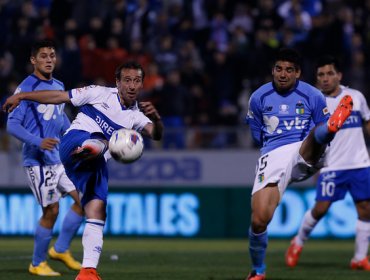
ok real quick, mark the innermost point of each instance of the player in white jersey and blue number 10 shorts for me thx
(347, 167)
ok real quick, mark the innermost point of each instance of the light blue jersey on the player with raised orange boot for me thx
(279, 119)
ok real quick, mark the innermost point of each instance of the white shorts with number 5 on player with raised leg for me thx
(283, 166)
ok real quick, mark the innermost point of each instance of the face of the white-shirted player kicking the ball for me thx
(129, 85)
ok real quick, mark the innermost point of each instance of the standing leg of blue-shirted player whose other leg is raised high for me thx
(264, 203)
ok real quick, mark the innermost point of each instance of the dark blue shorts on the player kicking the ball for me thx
(89, 177)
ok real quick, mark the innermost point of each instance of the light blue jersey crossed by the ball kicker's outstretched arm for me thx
(30, 122)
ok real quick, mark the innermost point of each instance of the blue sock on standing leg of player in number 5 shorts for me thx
(257, 250)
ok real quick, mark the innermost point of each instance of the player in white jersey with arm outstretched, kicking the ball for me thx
(82, 148)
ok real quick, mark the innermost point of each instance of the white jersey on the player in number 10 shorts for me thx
(348, 149)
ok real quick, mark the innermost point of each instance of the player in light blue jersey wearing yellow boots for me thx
(40, 127)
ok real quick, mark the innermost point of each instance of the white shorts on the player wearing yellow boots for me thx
(48, 183)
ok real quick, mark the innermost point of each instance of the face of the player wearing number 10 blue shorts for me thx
(328, 80)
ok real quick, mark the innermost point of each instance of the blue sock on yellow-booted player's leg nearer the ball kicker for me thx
(71, 224)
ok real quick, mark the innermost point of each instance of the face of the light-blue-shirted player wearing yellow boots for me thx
(44, 63)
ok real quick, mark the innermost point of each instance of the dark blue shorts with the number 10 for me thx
(333, 185)
